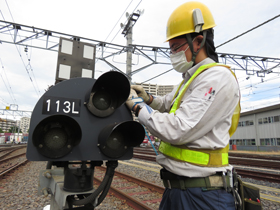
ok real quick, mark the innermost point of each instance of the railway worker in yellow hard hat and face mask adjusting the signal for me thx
(194, 121)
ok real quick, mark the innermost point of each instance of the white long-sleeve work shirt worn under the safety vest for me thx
(201, 122)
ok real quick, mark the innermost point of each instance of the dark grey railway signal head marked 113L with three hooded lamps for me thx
(84, 119)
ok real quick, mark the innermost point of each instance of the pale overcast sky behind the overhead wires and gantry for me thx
(96, 20)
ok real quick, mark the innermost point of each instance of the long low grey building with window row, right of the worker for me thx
(258, 130)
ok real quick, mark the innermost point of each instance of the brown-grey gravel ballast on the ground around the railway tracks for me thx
(18, 189)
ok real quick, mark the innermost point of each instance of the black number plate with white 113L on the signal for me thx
(55, 105)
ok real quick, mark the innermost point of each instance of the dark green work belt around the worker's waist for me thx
(213, 182)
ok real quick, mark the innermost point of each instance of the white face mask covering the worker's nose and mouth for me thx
(179, 61)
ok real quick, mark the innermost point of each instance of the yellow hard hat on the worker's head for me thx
(187, 18)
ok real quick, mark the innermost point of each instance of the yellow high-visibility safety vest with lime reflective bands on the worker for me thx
(201, 157)
